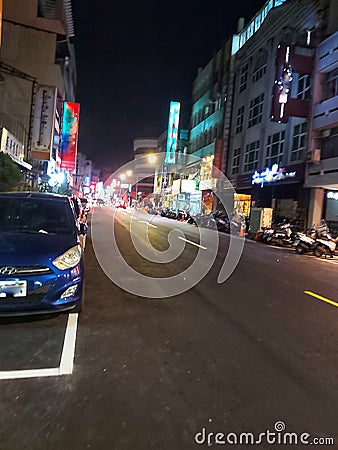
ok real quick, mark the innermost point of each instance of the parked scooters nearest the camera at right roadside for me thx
(317, 241)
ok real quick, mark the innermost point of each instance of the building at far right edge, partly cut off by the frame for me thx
(322, 167)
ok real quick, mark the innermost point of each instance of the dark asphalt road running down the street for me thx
(150, 373)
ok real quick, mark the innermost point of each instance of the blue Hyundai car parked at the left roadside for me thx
(41, 259)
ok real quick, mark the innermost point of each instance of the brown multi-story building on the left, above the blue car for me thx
(37, 73)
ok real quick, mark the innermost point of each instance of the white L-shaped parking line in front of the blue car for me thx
(67, 357)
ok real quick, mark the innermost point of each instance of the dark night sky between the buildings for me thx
(134, 57)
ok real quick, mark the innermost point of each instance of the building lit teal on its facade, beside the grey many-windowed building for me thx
(209, 95)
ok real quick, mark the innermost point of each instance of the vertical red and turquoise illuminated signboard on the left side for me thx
(70, 128)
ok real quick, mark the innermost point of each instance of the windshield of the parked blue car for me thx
(30, 215)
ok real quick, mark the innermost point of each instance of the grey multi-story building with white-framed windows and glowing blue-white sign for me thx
(271, 111)
